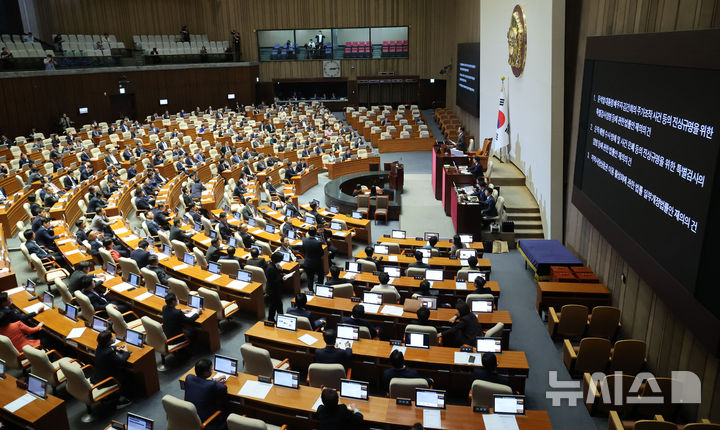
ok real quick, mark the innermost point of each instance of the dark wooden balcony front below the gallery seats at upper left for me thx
(38, 101)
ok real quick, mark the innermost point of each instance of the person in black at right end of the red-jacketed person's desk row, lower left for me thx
(111, 362)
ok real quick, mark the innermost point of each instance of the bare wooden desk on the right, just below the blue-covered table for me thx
(557, 294)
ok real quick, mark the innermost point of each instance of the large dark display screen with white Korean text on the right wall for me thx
(646, 162)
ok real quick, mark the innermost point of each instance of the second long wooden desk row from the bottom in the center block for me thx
(371, 357)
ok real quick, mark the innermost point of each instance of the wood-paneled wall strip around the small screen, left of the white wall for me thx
(464, 25)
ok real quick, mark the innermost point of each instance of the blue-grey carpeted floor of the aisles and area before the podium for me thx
(420, 213)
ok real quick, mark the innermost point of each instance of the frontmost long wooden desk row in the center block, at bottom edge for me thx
(294, 408)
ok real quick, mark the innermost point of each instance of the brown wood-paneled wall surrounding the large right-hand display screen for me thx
(671, 346)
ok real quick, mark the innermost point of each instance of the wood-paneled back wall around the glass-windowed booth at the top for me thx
(428, 39)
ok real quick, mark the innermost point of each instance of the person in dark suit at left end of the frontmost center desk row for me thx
(205, 393)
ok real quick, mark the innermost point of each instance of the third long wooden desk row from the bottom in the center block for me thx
(394, 327)
